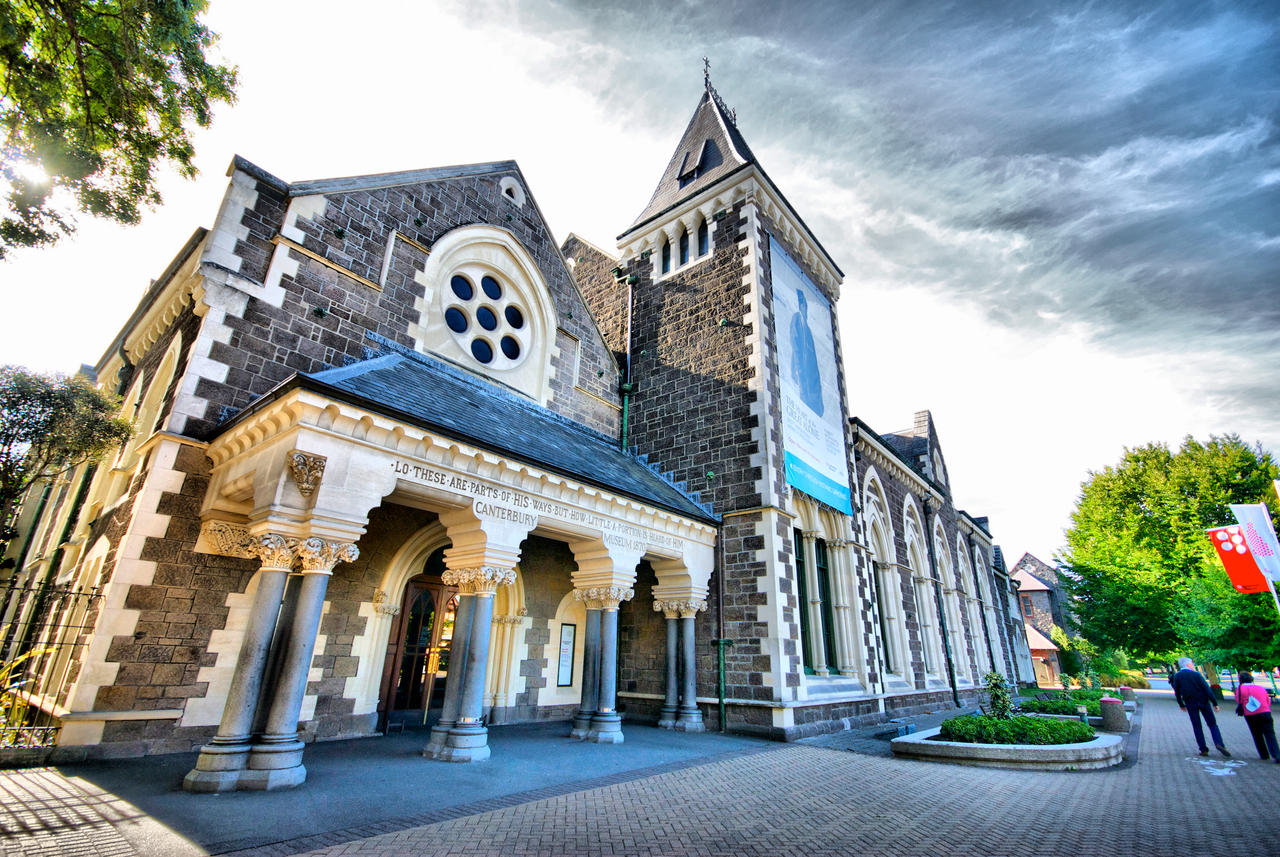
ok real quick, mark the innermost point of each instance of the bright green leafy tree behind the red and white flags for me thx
(1145, 576)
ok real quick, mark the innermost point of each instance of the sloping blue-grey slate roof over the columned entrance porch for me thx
(431, 395)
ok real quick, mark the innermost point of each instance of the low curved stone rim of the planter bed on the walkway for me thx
(1103, 751)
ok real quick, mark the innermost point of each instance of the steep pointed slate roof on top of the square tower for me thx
(711, 149)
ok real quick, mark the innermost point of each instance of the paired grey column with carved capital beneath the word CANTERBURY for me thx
(469, 739)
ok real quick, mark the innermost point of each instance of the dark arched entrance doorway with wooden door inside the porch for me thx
(417, 668)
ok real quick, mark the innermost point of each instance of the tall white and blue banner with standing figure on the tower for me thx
(813, 420)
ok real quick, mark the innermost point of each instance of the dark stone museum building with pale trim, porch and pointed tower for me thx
(403, 460)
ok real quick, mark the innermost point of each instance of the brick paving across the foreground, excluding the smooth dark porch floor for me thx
(753, 800)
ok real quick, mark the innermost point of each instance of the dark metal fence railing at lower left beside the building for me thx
(44, 630)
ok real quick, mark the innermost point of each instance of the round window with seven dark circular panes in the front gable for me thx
(487, 319)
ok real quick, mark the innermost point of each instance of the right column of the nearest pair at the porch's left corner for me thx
(276, 760)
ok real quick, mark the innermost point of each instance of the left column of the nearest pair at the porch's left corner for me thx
(218, 769)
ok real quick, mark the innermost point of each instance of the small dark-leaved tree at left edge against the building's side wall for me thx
(48, 424)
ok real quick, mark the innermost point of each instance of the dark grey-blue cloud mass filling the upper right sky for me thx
(1108, 164)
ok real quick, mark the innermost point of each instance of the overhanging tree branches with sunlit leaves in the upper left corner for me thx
(95, 97)
